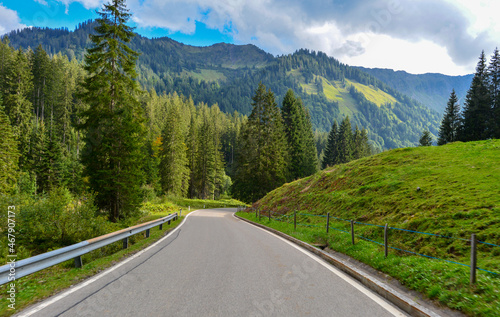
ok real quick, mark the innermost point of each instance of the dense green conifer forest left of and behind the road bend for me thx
(88, 134)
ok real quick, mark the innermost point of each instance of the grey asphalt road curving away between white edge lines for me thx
(217, 265)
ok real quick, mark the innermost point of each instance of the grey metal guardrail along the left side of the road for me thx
(42, 261)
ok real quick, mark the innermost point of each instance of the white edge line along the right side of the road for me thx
(391, 309)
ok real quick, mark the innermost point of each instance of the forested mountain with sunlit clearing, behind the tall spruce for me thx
(228, 75)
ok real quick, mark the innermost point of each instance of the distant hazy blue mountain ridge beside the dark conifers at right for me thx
(432, 90)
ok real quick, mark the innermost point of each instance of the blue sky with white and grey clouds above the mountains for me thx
(418, 36)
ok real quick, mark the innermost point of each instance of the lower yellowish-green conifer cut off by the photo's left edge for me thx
(9, 155)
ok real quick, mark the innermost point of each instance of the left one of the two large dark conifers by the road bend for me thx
(261, 165)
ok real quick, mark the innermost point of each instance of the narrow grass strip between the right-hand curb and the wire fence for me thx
(445, 283)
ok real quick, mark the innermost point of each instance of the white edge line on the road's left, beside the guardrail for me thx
(95, 278)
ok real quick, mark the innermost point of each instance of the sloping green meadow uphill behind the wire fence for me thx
(459, 195)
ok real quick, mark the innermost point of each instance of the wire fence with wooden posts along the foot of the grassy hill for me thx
(312, 221)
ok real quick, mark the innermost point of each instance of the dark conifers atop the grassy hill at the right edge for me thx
(480, 117)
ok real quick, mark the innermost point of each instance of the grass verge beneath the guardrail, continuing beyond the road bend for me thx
(43, 284)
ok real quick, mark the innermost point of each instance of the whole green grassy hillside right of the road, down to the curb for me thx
(459, 195)
